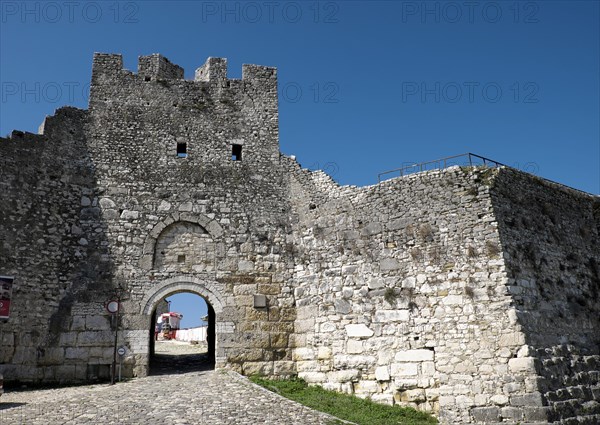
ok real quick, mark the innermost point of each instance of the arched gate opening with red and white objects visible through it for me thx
(182, 335)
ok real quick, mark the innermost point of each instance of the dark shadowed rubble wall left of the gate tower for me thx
(55, 249)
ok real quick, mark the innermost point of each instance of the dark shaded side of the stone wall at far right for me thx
(551, 240)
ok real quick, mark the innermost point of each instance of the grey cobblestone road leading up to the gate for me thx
(200, 397)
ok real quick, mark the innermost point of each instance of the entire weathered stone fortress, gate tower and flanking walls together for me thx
(472, 293)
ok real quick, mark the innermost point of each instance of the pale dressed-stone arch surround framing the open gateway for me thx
(204, 289)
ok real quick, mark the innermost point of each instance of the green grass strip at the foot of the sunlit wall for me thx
(344, 406)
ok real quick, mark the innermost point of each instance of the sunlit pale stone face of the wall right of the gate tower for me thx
(400, 294)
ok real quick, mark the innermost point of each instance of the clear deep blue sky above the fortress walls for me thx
(364, 86)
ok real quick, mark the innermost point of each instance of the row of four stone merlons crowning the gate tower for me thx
(156, 66)
